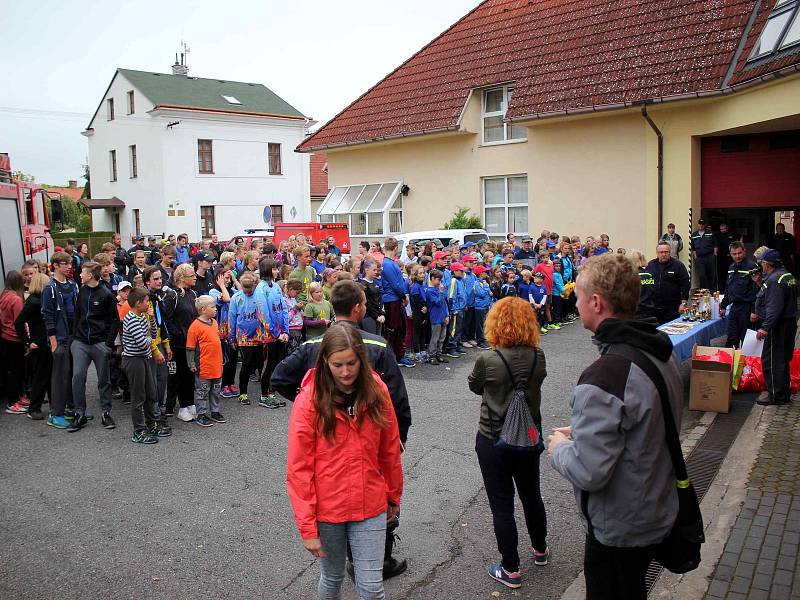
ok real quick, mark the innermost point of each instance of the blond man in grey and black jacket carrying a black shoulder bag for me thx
(615, 452)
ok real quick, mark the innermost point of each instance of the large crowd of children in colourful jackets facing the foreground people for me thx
(164, 325)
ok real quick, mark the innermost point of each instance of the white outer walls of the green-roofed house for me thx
(168, 168)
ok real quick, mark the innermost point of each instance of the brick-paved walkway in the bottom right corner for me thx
(761, 559)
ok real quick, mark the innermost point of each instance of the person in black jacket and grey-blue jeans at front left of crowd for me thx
(96, 328)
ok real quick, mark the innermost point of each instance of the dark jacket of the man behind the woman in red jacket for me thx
(290, 371)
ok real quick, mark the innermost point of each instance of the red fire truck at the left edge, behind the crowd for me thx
(24, 222)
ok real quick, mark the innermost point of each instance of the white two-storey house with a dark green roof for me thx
(175, 153)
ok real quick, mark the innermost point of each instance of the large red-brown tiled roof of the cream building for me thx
(562, 56)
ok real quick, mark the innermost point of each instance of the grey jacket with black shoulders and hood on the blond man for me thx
(618, 451)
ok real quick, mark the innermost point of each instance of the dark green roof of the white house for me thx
(196, 92)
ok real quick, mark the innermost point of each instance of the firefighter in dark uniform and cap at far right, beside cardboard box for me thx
(776, 306)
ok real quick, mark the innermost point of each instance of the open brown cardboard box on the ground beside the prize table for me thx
(710, 387)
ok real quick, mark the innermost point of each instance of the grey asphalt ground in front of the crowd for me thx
(205, 513)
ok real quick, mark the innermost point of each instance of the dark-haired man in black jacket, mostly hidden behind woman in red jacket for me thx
(350, 306)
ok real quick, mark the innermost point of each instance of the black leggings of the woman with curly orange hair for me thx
(501, 470)
